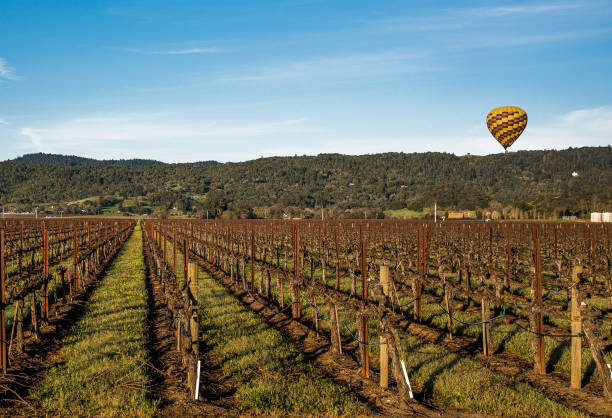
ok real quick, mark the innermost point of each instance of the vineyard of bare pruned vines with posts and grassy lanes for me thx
(343, 317)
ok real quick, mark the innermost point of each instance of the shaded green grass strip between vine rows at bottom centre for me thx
(272, 373)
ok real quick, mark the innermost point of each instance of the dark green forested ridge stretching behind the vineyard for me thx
(523, 179)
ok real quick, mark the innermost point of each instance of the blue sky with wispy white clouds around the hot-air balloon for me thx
(182, 81)
